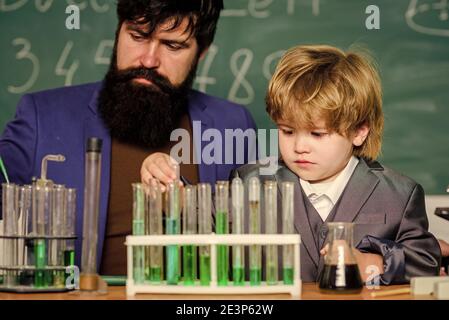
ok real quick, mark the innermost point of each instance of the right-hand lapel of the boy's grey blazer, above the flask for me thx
(359, 188)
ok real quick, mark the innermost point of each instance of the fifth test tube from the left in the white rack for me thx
(205, 227)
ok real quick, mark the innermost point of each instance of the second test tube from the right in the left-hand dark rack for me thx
(57, 230)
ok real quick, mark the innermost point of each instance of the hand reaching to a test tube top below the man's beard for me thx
(158, 166)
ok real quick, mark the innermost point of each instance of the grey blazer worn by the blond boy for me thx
(388, 211)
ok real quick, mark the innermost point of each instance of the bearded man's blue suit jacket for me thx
(59, 121)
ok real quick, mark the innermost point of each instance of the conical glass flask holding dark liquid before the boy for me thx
(340, 273)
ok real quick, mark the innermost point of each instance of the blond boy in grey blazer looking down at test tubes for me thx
(327, 105)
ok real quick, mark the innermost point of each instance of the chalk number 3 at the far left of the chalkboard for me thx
(25, 53)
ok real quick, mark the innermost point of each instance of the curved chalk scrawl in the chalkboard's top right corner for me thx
(438, 8)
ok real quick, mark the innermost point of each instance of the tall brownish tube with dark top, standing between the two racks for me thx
(89, 277)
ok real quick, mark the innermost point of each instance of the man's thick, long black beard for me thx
(143, 115)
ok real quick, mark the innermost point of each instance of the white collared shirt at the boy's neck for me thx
(324, 196)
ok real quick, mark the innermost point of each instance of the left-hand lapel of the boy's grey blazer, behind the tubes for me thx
(302, 225)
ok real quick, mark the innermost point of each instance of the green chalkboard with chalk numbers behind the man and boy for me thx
(412, 47)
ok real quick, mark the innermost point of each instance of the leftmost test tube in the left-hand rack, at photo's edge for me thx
(10, 228)
